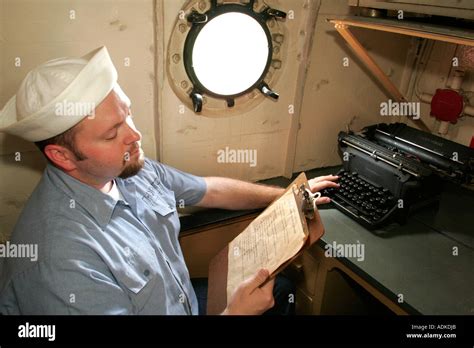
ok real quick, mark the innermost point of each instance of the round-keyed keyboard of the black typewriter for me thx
(368, 204)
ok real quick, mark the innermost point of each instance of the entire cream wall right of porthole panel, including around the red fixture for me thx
(338, 96)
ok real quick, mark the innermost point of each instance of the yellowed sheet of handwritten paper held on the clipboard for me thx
(273, 238)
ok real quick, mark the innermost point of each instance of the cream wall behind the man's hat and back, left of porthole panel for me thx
(37, 31)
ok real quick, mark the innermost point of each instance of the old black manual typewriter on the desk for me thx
(391, 170)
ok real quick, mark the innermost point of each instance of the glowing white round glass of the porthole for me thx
(230, 53)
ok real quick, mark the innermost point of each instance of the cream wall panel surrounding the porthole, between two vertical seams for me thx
(192, 142)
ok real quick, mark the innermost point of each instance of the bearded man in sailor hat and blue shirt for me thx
(103, 216)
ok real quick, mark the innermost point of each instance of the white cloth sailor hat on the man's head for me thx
(58, 94)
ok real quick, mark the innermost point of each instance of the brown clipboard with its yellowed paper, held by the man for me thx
(273, 239)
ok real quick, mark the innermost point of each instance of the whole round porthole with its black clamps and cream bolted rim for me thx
(224, 52)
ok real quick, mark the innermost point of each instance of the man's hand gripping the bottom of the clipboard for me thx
(251, 299)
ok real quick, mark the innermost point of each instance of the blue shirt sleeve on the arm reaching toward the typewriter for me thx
(187, 187)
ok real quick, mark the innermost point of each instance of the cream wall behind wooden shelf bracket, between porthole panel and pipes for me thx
(338, 95)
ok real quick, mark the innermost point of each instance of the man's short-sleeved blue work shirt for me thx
(97, 255)
